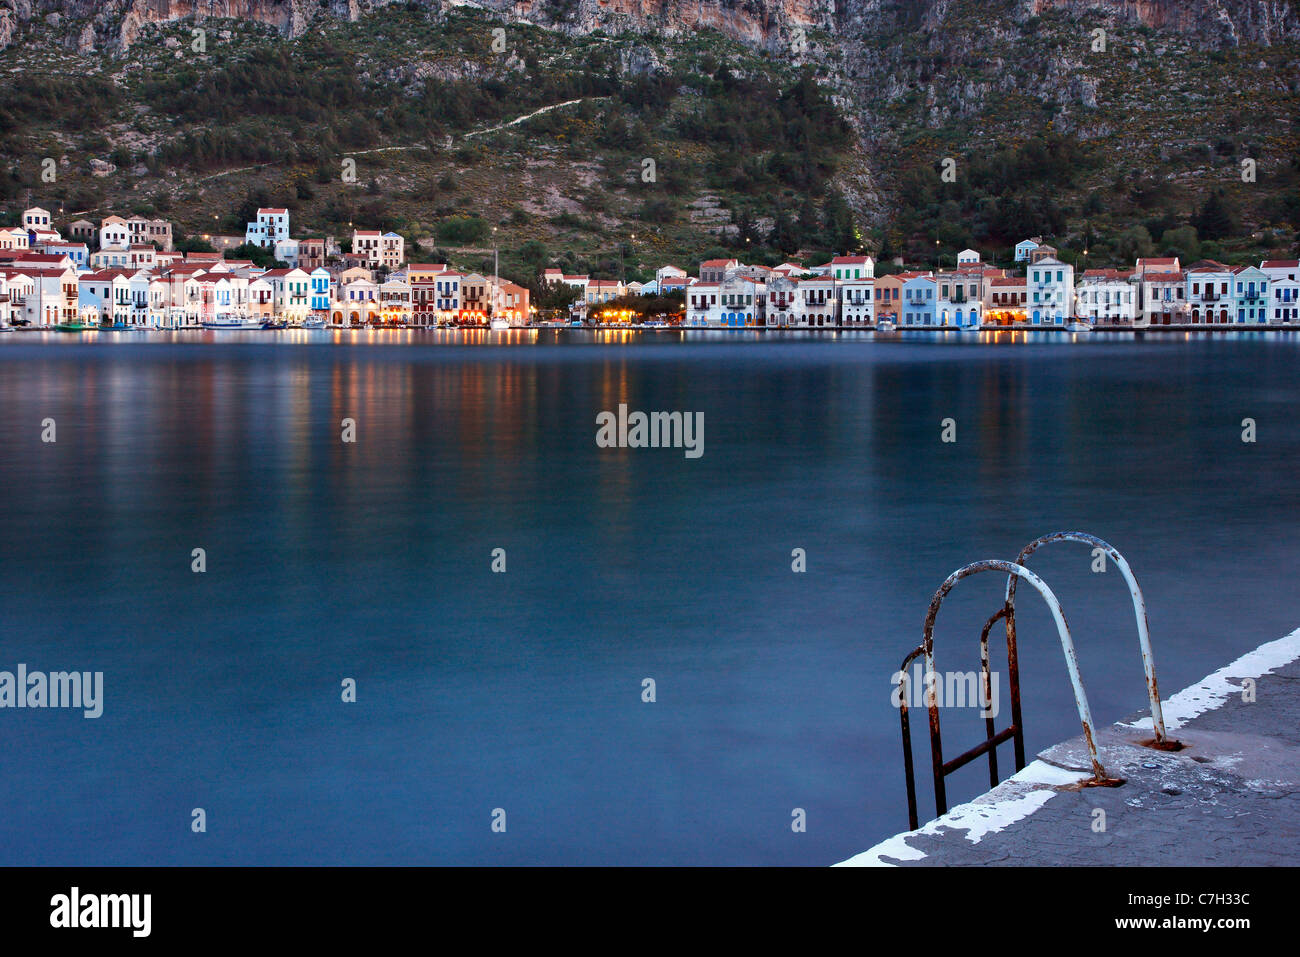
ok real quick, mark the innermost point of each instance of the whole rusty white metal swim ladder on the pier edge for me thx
(1016, 730)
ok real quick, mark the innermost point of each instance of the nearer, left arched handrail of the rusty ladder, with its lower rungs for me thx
(928, 648)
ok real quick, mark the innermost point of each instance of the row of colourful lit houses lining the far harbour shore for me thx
(128, 276)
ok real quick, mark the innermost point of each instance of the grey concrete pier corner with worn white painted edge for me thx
(1230, 798)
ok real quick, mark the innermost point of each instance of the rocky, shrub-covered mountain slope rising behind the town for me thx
(1108, 149)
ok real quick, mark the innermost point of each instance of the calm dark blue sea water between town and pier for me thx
(523, 691)
